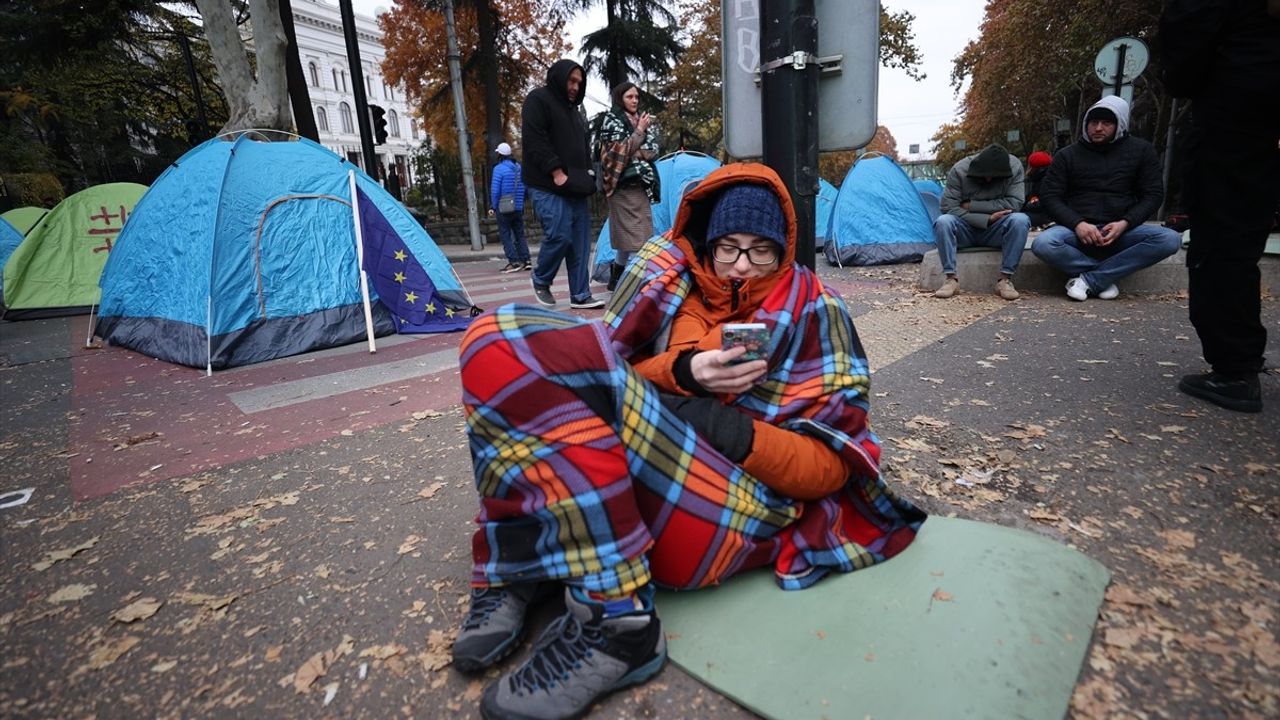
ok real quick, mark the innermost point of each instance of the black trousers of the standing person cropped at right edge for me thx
(1233, 185)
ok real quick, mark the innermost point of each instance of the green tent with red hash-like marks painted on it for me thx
(56, 270)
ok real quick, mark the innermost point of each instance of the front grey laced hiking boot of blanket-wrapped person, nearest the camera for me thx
(582, 658)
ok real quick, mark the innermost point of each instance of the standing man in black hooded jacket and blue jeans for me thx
(559, 175)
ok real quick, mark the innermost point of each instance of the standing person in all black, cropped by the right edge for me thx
(1226, 57)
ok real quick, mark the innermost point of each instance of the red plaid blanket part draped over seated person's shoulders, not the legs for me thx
(817, 385)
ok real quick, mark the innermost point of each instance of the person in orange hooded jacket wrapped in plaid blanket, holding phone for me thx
(612, 458)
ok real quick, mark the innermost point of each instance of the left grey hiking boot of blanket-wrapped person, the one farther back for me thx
(493, 626)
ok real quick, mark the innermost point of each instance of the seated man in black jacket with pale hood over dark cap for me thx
(1100, 190)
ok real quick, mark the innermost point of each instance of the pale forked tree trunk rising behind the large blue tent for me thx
(262, 103)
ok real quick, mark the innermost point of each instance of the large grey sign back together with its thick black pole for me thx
(792, 92)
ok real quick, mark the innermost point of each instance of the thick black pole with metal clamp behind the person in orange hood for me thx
(789, 31)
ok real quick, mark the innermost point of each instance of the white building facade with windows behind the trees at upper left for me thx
(323, 52)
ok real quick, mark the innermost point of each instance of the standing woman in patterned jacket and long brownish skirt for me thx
(629, 144)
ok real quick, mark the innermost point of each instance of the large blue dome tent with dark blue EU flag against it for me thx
(245, 250)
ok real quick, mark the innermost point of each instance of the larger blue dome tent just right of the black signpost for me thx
(880, 218)
